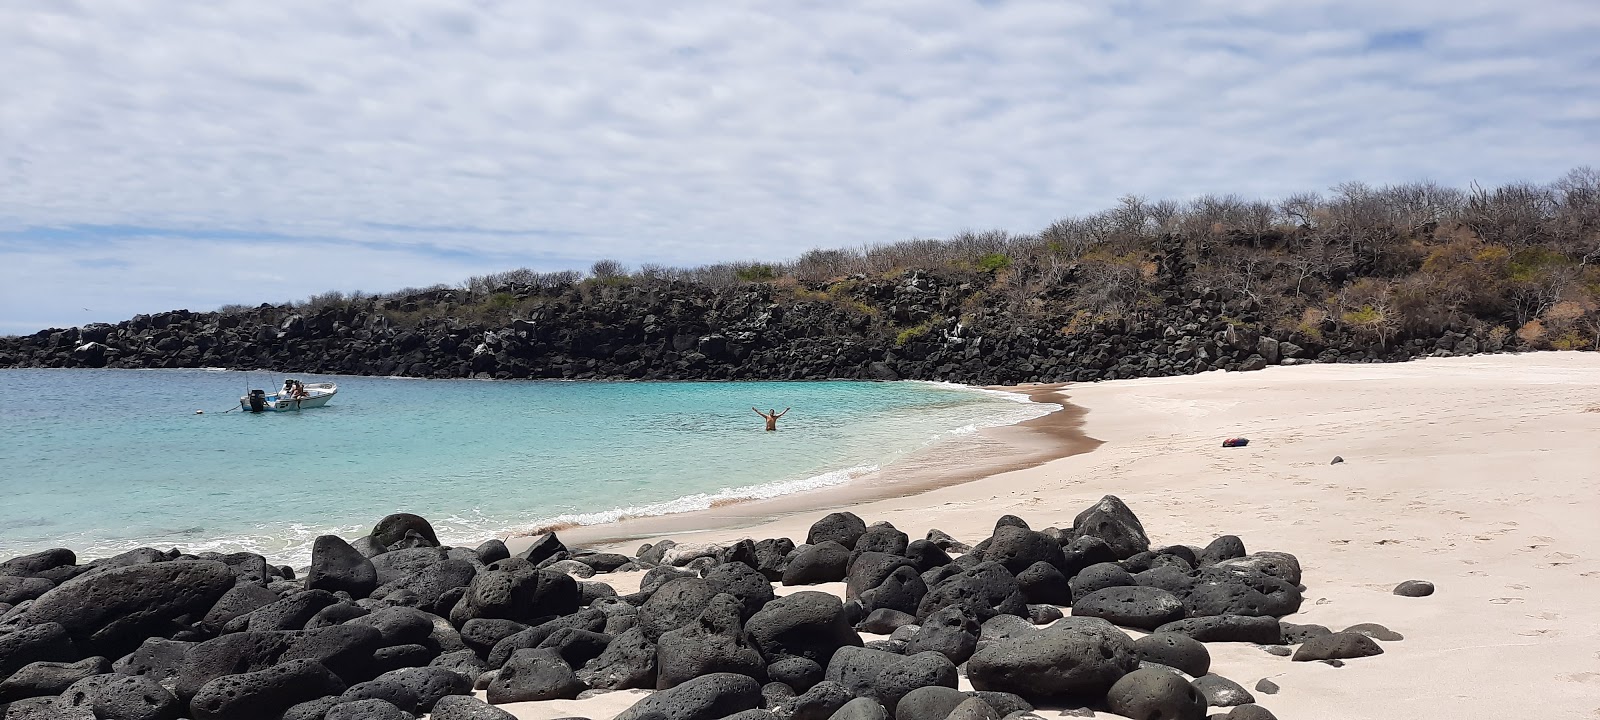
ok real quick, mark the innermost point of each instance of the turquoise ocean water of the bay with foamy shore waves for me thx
(110, 460)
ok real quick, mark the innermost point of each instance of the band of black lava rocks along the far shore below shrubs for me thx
(918, 326)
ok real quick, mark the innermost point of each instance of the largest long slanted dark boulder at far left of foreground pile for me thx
(111, 612)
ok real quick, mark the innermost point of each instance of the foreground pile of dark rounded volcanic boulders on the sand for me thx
(396, 626)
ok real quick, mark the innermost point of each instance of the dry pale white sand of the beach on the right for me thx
(1481, 474)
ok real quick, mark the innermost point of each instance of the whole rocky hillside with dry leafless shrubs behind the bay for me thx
(1146, 289)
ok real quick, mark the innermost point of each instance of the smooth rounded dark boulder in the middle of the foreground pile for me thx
(806, 625)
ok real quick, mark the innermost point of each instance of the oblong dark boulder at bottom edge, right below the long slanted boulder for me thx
(265, 695)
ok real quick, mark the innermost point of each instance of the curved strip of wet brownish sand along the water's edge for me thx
(986, 454)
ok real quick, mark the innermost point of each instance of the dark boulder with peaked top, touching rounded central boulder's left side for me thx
(716, 642)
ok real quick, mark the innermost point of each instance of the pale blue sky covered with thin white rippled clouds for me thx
(172, 154)
